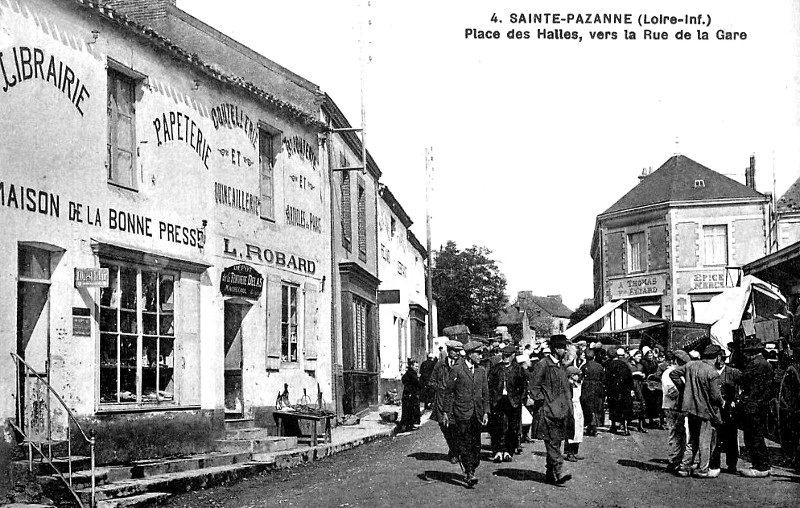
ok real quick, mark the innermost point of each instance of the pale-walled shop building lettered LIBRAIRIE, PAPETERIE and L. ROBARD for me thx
(166, 219)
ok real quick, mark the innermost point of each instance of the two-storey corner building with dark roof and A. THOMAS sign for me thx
(678, 238)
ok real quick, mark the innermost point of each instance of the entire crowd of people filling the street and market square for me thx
(557, 392)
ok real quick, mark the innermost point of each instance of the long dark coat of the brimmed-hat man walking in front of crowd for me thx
(553, 418)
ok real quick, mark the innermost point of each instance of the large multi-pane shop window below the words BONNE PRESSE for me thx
(137, 336)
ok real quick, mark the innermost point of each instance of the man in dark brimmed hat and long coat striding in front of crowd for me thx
(553, 420)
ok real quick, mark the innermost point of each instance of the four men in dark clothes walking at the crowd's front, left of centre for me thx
(466, 394)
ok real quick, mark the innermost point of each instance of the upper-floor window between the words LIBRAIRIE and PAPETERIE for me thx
(121, 145)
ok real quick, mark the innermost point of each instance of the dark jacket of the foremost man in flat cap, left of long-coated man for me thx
(466, 394)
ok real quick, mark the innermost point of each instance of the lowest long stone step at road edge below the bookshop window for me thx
(183, 481)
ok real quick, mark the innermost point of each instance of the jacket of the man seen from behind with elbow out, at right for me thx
(699, 382)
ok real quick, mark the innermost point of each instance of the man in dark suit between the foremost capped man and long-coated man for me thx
(507, 388)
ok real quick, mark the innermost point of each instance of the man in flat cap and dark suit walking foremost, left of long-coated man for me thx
(467, 402)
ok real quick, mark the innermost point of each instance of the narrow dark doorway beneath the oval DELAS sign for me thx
(234, 396)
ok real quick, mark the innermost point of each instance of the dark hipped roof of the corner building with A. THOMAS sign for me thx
(675, 181)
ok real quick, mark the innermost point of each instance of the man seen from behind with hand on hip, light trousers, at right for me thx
(702, 402)
